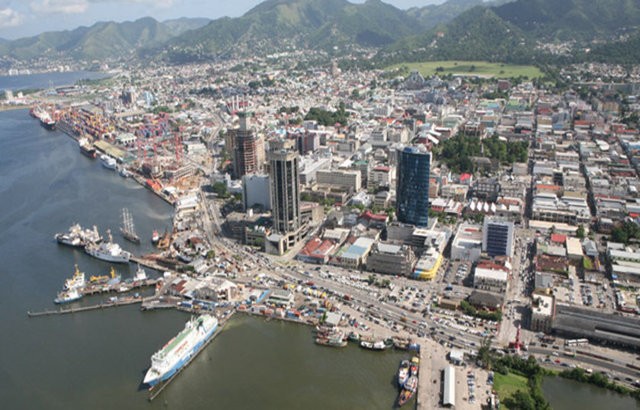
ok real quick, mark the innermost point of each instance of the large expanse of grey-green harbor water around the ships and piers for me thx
(97, 359)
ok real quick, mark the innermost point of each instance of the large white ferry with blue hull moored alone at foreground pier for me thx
(179, 350)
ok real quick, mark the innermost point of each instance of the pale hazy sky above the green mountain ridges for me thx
(20, 18)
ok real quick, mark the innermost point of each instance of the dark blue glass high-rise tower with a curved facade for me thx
(412, 188)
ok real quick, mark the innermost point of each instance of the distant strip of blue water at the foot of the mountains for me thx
(45, 80)
